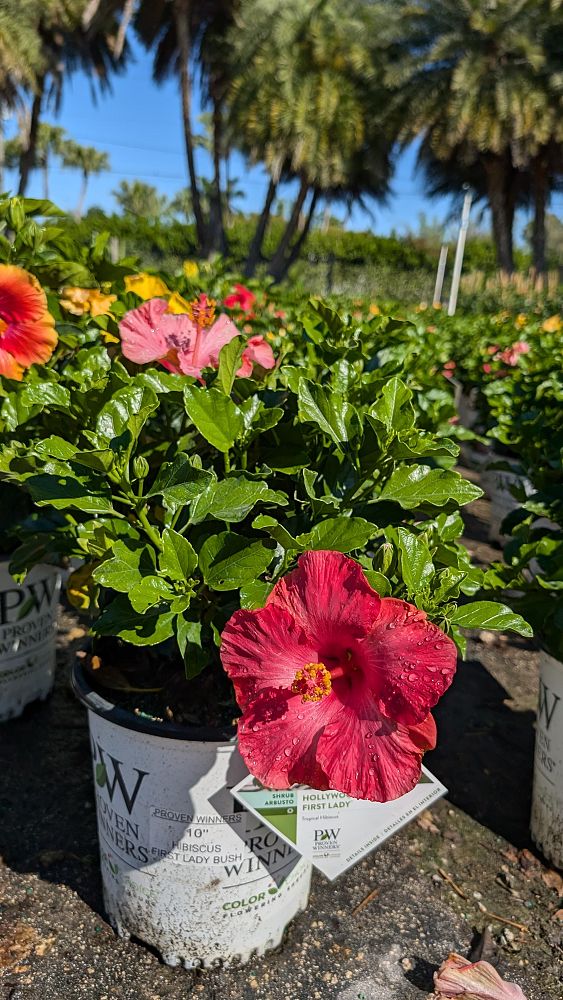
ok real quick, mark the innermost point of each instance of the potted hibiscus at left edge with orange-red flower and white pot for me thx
(44, 359)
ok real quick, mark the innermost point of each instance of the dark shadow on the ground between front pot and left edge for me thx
(47, 809)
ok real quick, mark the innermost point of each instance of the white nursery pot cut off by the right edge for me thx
(547, 799)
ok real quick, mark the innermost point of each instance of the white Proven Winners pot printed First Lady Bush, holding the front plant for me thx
(185, 868)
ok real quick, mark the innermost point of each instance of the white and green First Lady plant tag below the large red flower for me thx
(330, 829)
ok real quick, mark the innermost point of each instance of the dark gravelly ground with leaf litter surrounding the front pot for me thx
(377, 933)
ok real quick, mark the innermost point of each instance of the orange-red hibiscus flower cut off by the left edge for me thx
(27, 329)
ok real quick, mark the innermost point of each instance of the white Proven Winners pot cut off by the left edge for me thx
(27, 637)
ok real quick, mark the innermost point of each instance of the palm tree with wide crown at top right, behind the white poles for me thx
(476, 74)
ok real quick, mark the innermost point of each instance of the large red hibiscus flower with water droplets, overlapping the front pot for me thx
(335, 682)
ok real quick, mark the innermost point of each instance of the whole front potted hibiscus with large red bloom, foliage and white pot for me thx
(276, 540)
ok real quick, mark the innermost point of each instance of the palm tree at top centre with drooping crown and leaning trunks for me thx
(302, 102)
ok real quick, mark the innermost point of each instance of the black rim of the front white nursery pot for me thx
(123, 717)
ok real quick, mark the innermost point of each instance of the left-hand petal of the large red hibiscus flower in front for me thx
(263, 649)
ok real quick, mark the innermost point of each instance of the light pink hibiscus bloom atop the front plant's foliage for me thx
(187, 342)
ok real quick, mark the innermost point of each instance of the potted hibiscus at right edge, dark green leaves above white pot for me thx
(532, 572)
